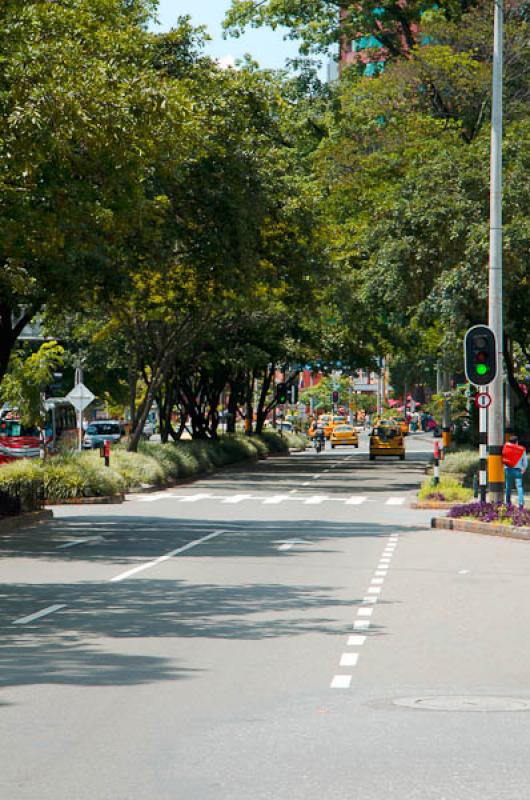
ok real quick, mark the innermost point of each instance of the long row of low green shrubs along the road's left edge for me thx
(84, 474)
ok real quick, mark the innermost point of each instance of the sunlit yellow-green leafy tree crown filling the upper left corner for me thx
(81, 109)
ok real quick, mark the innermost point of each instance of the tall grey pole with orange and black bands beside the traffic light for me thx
(496, 411)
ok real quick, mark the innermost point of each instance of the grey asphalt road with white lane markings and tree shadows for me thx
(290, 630)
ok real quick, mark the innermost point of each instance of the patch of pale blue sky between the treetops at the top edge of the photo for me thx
(265, 46)
